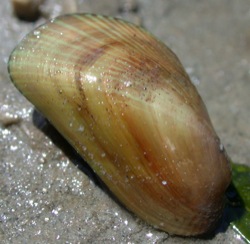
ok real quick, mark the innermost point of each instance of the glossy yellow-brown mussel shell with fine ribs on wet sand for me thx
(124, 101)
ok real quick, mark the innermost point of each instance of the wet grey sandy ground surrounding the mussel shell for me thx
(47, 193)
